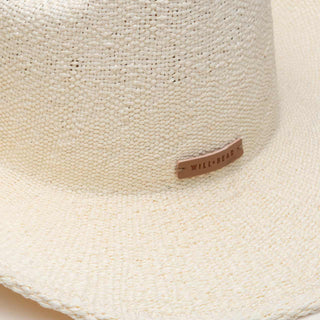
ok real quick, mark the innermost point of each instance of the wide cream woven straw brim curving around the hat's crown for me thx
(250, 249)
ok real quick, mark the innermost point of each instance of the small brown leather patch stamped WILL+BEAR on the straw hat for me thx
(210, 162)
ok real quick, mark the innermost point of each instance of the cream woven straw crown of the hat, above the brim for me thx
(107, 96)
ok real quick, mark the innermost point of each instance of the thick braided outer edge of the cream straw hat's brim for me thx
(266, 311)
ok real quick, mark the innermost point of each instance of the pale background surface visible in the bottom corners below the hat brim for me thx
(15, 307)
